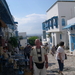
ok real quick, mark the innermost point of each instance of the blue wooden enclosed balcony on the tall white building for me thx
(50, 24)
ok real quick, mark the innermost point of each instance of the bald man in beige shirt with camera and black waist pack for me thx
(40, 59)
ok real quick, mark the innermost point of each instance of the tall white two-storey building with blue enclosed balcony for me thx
(57, 16)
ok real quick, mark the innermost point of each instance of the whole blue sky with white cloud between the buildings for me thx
(29, 14)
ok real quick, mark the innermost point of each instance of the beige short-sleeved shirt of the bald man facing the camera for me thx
(35, 55)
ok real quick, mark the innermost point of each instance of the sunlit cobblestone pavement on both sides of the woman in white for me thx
(69, 65)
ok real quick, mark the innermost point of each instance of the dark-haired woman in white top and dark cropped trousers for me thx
(60, 56)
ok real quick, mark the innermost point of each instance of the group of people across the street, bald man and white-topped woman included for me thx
(38, 60)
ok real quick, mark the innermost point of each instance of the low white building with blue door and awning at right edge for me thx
(71, 34)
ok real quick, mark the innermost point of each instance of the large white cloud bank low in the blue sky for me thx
(31, 24)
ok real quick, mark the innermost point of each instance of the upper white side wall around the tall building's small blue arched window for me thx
(66, 11)
